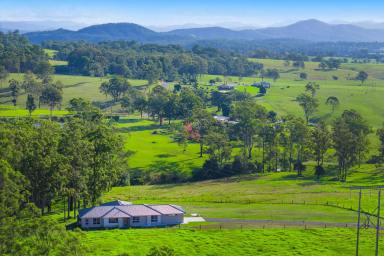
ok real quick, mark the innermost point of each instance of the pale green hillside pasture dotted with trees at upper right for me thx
(281, 97)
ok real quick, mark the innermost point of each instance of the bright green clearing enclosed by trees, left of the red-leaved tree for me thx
(154, 149)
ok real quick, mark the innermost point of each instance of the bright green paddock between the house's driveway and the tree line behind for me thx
(264, 197)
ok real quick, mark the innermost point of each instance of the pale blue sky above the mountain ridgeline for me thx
(172, 12)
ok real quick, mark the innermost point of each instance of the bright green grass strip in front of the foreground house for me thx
(278, 242)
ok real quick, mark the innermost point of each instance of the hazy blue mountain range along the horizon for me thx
(309, 30)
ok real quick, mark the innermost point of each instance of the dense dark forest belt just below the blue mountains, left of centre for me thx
(149, 61)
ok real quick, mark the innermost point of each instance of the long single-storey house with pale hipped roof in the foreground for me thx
(121, 214)
